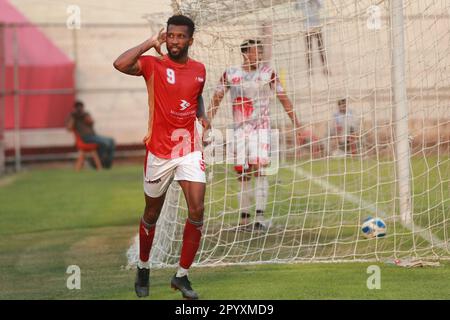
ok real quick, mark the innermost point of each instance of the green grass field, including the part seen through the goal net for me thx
(53, 218)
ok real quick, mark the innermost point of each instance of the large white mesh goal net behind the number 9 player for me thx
(317, 200)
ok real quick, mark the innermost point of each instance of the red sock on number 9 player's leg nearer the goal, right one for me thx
(191, 242)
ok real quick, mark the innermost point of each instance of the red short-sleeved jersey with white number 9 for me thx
(173, 92)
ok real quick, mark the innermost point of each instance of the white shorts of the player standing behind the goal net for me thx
(252, 147)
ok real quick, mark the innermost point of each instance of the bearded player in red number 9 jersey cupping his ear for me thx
(174, 84)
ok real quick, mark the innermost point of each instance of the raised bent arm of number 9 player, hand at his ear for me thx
(128, 62)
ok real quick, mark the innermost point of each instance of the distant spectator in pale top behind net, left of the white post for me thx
(344, 128)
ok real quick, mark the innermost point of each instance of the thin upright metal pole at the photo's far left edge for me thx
(2, 98)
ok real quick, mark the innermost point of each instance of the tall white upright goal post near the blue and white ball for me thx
(400, 110)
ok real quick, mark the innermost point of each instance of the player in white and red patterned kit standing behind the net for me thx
(251, 86)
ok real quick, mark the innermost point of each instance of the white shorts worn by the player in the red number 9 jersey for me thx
(159, 172)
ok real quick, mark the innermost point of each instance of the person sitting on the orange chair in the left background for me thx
(82, 123)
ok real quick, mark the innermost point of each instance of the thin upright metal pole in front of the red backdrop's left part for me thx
(16, 102)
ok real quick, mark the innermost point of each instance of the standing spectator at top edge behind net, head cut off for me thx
(313, 29)
